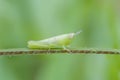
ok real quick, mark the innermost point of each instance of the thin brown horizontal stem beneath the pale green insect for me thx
(37, 51)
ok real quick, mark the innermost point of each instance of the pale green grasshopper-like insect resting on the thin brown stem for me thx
(61, 41)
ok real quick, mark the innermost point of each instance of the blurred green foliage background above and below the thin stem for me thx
(23, 20)
